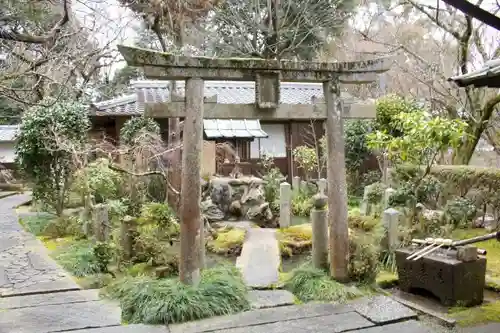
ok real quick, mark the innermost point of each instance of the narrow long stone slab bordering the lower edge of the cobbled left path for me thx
(49, 299)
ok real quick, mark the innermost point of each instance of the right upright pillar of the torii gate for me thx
(337, 187)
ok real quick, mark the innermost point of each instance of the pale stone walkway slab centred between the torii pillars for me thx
(260, 258)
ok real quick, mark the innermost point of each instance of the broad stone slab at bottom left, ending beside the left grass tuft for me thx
(55, 318)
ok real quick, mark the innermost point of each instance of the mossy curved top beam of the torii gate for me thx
(159, 65)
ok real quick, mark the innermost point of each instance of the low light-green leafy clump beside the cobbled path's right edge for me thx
(83, 258)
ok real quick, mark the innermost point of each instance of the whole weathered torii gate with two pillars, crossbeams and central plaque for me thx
(267, 75)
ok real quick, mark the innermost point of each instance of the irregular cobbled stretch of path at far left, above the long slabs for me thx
(25, 266)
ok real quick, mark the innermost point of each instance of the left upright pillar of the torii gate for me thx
(191, 223)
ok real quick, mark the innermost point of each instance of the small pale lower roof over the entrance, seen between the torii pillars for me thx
(231, 128)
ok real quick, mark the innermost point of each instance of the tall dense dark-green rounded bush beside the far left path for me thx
(45, 146)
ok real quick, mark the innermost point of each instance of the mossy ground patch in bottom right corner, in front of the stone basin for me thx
(479, 315)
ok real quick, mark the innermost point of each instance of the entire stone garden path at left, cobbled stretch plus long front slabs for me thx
(37, 296)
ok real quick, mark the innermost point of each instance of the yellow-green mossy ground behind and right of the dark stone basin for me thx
(491, 246)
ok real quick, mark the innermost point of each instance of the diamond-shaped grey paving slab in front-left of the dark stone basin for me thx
(382, 309)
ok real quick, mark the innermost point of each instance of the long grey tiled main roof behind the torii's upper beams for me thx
(227, 92)
